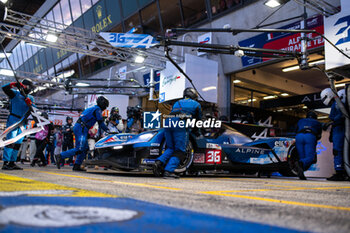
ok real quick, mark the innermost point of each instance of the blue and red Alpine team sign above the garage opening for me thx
(284, 41)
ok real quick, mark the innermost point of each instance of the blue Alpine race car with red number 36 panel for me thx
(225, 149)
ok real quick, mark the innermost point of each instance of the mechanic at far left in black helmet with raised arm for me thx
(19, 105)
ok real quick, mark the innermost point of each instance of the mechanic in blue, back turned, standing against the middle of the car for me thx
(177, 138)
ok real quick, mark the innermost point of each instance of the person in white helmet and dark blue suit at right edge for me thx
(338, 135)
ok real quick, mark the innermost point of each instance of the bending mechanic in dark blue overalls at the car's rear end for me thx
(309, 130)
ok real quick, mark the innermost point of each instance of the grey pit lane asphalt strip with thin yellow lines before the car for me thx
(315, 205)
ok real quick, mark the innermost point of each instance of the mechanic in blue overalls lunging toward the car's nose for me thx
(81, 128)
